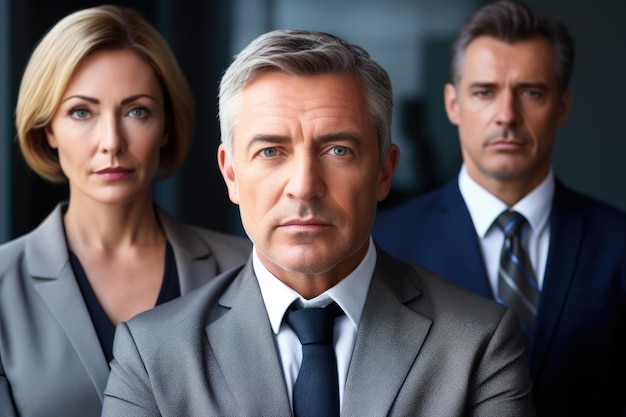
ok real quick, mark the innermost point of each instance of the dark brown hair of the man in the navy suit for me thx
(511, 21)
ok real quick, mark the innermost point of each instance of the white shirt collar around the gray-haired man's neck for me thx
(349, 293)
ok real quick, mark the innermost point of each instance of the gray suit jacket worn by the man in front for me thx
(424, 348)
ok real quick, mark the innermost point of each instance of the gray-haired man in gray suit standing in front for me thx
(306, 155)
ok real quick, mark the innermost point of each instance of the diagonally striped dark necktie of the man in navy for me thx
(517, 284)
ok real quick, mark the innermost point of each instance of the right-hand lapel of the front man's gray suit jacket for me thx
(389, 338)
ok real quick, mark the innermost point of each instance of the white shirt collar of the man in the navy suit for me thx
(484, 207)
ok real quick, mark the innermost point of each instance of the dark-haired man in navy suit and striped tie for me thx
(509, 94)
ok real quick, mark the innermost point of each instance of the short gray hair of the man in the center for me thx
(300, 52)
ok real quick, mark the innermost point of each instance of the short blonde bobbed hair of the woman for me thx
(61, 52)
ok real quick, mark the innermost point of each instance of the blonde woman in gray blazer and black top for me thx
(103, 106)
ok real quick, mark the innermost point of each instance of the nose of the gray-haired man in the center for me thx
(305, 179)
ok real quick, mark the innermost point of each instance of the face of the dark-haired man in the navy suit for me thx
(507, 107)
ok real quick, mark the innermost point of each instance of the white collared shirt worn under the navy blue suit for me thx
(484, 208)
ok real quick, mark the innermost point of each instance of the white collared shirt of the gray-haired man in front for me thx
(350, 294)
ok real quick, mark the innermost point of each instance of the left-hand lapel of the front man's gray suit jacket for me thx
(242, 342)
